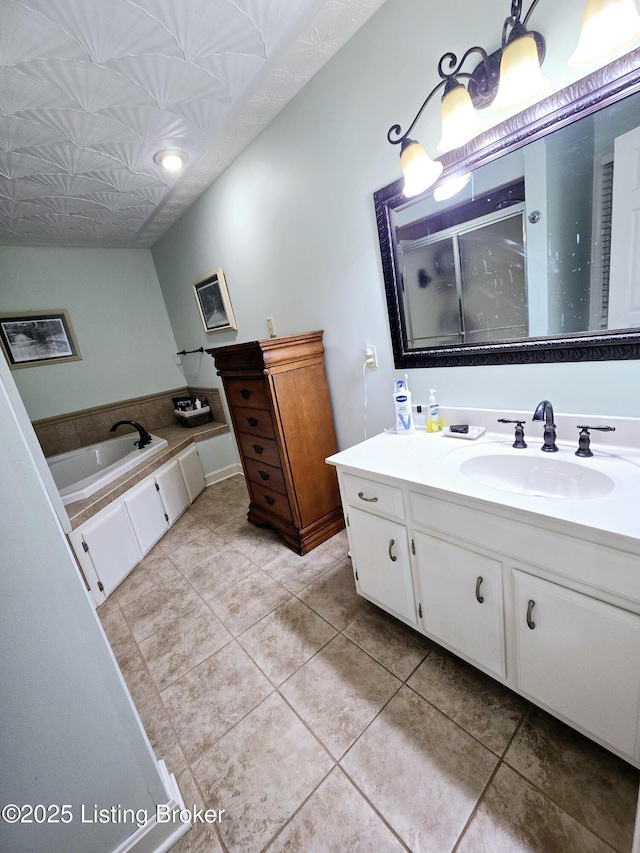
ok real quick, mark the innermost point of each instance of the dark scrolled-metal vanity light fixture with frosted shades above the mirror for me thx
(510, 78)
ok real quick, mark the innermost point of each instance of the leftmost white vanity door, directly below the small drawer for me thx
(380, 557)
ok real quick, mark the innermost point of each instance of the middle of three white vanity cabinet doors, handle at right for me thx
(461, 599)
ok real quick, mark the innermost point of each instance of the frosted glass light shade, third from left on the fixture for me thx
(521, 79)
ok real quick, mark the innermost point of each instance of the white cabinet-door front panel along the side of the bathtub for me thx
(111, 543)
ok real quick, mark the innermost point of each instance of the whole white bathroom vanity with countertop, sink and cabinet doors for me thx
(528, 569)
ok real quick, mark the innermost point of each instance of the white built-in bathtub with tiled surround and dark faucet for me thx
(79, 473)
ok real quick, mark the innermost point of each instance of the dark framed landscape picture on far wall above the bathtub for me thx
(37, 338)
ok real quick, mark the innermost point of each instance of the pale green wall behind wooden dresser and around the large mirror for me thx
(292, 222)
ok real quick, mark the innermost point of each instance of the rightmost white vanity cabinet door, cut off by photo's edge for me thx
(578, 657)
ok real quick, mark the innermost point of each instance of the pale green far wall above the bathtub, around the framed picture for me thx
(119, 318)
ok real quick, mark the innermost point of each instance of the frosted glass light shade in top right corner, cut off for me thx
(608, 26)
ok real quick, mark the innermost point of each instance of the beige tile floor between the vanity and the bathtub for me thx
(319, 723)
